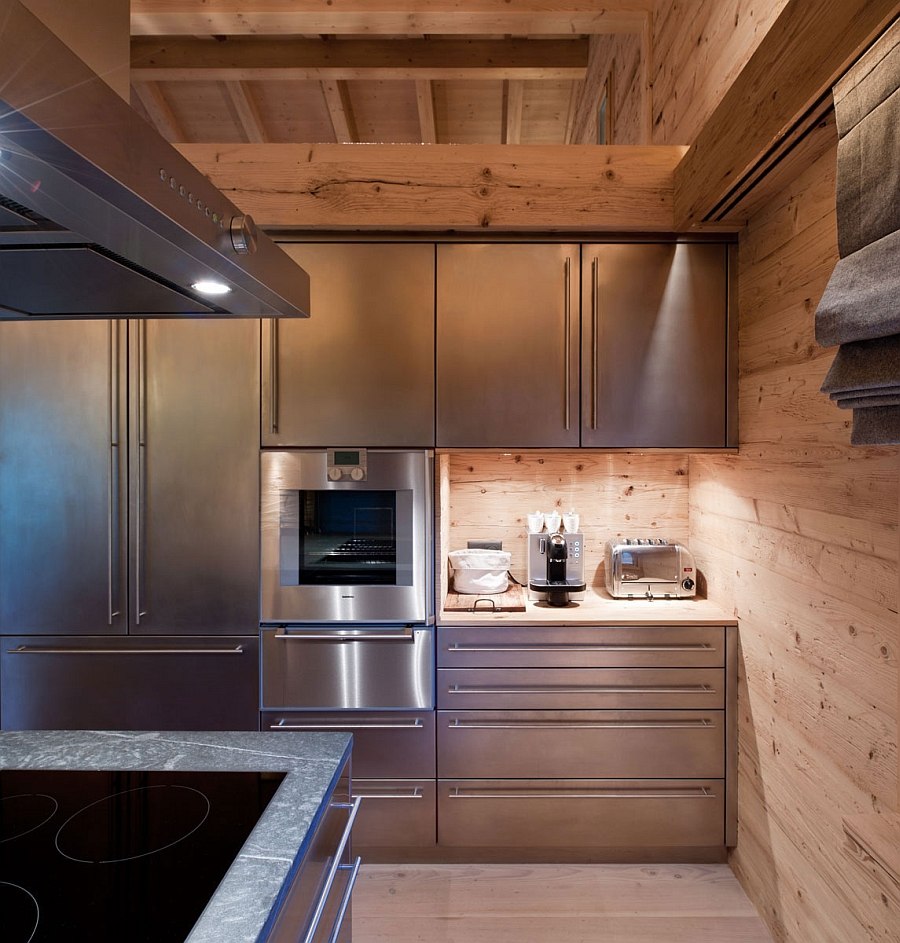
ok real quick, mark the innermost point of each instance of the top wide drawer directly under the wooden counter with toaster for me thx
(642, 646)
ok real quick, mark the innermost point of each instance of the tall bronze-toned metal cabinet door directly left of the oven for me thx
(194, 476)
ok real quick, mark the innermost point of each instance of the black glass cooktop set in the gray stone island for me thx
(114, 856)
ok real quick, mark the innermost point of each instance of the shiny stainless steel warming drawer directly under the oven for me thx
(323, 670)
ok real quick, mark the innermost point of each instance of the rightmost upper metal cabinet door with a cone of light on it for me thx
(654, 322)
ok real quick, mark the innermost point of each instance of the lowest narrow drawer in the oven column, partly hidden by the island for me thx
(394, 814)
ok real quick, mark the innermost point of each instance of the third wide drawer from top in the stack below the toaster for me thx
(581, 744)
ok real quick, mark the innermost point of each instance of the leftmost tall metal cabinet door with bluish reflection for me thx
(62, 477)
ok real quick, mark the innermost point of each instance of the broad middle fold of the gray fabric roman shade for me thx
(862, 297)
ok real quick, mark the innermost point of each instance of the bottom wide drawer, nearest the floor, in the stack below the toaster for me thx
(580, 813)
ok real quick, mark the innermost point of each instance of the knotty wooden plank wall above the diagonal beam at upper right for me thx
(699, 46)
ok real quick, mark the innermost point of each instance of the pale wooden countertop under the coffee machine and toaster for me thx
(599, 608)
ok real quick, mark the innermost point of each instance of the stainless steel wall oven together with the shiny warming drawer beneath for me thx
(347, 580)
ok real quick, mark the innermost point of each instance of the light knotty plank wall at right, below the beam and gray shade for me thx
(798, 532)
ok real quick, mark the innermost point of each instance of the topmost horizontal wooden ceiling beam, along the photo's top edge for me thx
(386, 17)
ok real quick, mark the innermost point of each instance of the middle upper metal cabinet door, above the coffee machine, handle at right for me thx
(507, 346)
